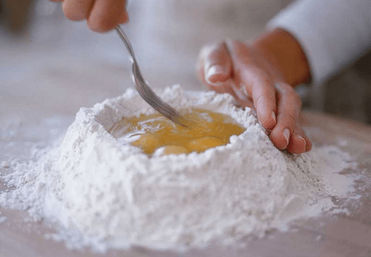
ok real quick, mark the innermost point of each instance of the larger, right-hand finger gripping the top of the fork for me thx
(106, 14)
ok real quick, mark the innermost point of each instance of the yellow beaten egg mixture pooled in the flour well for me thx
(204, 129)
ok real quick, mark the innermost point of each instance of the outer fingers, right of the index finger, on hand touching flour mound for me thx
(287, 134)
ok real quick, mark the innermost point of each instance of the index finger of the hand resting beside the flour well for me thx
(257, 82)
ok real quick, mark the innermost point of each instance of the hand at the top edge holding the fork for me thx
(101, 15)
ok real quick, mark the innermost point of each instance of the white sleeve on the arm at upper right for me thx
(333, 33)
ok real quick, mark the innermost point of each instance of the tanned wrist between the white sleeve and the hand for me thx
(285, 55)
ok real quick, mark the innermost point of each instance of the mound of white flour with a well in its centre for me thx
(101, 193)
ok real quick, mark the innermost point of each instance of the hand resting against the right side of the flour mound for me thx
(230, 64)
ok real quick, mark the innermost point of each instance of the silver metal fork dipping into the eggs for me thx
(142, 87)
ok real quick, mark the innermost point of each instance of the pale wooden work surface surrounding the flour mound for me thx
(39, 97)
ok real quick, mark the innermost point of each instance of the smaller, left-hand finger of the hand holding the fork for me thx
(77, 9)
